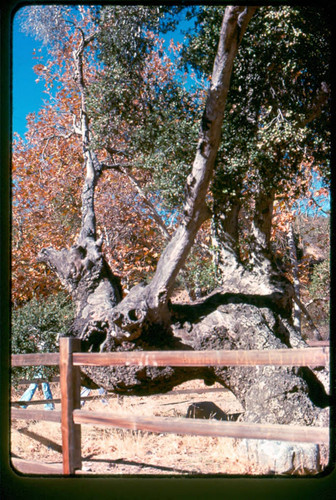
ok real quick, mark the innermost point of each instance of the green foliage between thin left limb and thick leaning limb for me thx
(139, 105)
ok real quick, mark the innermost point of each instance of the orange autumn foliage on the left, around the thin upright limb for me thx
(47, 176)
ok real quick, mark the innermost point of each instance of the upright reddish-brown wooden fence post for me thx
(70, 400)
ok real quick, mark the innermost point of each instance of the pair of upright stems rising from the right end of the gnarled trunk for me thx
(260, 276)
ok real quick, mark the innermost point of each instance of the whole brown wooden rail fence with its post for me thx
(72, 417)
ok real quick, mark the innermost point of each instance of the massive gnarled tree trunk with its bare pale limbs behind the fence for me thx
(250, 315)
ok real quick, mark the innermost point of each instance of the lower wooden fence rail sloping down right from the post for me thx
(209, 428)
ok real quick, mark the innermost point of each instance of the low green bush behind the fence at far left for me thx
(36, 327)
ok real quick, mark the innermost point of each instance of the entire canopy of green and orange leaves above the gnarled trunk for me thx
(143, 120)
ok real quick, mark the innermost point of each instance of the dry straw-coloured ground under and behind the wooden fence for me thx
(110, 451)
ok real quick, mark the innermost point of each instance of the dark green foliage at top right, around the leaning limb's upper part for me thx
(278, 113)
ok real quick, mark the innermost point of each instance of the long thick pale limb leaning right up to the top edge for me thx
(196, 211)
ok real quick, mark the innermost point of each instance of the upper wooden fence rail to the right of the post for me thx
(311, 356)
